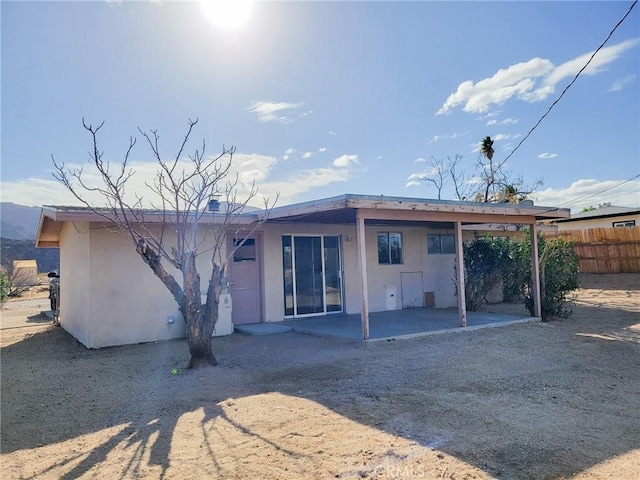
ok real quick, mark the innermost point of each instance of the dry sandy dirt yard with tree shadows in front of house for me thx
(536, 400)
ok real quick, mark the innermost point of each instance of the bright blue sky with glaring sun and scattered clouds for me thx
(326, 98)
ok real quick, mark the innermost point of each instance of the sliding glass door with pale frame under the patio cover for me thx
(312, 274)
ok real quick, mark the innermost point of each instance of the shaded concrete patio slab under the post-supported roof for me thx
(395, 324)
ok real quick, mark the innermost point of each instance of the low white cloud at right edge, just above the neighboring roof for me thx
(586, 192)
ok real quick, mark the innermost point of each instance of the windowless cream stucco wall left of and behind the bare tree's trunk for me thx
(109, 295)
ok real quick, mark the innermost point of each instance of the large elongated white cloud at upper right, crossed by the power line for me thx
(531, 81)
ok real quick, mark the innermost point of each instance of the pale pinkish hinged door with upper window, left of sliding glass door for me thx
(245, 283)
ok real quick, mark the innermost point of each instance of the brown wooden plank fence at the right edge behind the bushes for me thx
(605, 250)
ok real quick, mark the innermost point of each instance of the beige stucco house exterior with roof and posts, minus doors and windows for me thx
(109, 296)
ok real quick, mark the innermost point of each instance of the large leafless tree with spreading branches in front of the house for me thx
(183, 190)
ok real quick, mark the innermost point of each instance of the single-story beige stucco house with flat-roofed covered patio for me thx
(350, 254)
